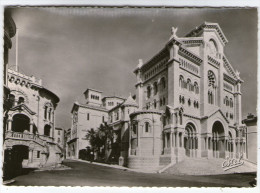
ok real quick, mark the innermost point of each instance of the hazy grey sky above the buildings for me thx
(72, 49)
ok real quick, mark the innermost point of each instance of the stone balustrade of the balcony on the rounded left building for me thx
(41, 139)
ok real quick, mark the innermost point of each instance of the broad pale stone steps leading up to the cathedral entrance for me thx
(204, 166)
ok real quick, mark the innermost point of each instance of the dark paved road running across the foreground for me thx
(85, 174)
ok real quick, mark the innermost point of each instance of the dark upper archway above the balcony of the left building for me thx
(20, 123)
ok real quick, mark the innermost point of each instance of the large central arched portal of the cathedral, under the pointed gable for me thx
(218, 140)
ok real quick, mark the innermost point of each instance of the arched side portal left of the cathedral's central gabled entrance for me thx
(190, 140)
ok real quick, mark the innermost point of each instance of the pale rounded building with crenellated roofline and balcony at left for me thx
(30, 123)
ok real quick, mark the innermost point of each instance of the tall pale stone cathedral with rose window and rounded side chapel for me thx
(189, 99)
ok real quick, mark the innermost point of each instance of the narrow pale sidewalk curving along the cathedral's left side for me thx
(115, 166)
